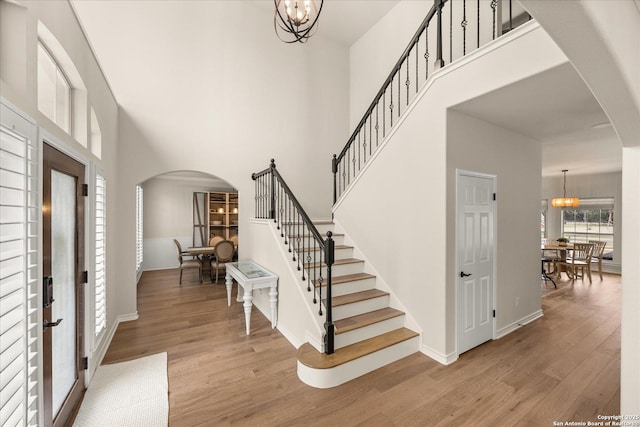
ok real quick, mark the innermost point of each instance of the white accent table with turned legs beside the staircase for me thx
(252, 276)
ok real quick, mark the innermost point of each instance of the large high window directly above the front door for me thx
(54, 91)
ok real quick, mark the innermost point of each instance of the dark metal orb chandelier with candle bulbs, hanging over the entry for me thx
(296, 21)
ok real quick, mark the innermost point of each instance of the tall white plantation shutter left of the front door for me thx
(19, 269)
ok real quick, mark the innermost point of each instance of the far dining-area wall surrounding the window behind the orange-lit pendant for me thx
(585, 186)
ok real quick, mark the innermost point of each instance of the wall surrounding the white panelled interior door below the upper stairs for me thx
(516, 161)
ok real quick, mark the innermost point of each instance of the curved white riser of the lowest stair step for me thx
(326, 378)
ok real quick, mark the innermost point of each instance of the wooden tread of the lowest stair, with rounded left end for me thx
(309, 356)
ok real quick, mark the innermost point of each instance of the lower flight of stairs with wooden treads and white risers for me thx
(368, 332)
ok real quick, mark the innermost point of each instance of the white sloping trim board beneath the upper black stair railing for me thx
(486, 49)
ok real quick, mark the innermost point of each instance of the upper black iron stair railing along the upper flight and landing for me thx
(412, 70)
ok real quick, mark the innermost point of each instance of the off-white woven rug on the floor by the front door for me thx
(133, 393)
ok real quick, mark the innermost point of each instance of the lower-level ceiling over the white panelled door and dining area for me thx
(558, 109)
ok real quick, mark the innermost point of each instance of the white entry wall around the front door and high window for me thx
(18, 62)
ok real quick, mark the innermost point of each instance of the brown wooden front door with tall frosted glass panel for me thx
(63, 297)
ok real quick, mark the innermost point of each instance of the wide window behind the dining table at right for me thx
(593, 220)
